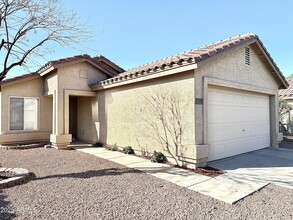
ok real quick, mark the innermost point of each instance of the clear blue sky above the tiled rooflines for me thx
(135, 32)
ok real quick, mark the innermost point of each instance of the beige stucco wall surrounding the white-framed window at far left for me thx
(29, 88)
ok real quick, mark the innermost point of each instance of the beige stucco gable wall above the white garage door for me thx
(231, 66)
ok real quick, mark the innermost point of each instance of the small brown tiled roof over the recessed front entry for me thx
(100, 62)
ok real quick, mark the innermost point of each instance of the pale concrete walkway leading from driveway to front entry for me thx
(223, 187)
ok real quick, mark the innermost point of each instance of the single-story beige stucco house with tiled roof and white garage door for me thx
(228, 94)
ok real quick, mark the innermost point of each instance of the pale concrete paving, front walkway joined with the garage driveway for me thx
(246, 173)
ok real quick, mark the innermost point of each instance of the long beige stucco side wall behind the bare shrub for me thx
(126, 116)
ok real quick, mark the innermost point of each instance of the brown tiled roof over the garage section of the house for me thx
(192, 57)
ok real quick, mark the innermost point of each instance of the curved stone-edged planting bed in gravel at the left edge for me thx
(14, 176)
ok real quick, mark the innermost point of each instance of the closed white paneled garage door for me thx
(238, 122)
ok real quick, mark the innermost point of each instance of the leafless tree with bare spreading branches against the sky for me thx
(28, 26)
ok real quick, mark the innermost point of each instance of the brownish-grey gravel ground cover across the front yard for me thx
(74, 185)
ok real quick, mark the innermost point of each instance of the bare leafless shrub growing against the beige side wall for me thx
(163, 112)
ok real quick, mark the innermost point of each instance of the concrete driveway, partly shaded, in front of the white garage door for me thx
(269, 165)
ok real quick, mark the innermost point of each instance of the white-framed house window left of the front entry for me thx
(23, 114)
